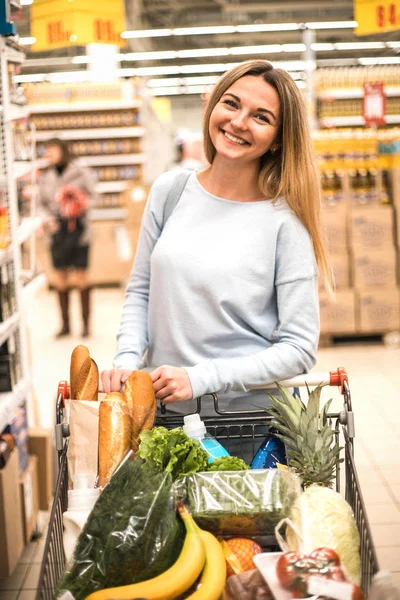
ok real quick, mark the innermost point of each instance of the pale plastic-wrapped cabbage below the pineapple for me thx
(321, 517)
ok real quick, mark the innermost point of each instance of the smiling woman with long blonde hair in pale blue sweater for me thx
(230, 301)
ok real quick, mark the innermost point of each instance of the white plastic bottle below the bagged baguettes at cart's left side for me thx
(80, 503)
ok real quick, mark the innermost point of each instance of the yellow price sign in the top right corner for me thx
(375, 16)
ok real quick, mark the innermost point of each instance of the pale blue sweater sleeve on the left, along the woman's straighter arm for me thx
(132, 338)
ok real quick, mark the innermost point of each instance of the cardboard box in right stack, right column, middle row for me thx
(376, 268)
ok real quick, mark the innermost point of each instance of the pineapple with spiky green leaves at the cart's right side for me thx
(308, 437)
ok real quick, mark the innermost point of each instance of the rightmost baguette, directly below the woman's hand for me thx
(139, 394)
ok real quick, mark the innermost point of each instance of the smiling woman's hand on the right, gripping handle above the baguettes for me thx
(171, 384)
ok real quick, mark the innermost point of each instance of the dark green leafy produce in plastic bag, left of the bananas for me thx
(132, 534)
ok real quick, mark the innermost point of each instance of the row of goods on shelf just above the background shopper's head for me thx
(86, 120)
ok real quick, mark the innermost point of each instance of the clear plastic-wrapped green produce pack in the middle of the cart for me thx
(240, 502)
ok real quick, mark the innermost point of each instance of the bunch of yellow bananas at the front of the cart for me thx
(201, 554)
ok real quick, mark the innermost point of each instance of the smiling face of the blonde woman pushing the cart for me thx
(244, 123)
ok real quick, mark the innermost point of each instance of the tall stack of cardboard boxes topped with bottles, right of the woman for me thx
(360, 215)
